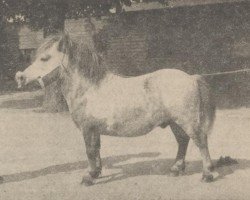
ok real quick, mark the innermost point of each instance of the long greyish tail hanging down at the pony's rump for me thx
(207, 106)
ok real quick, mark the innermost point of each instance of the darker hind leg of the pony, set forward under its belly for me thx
(182, 139)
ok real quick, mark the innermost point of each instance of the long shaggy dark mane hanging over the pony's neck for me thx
(84, 56)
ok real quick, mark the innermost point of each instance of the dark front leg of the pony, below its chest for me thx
(92, 143)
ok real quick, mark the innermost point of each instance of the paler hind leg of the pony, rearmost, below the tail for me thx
(202, 144)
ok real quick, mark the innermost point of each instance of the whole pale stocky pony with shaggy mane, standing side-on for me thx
(103, 103)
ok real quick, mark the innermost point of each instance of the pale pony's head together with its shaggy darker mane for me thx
(60, 53)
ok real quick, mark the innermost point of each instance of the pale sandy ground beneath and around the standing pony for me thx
(42, 157)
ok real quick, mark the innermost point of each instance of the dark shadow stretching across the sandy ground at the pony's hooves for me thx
(152, 167)
